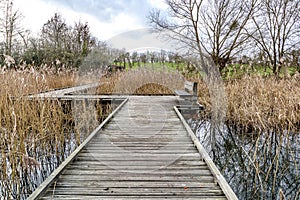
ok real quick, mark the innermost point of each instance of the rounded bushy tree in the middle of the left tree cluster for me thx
(66, 45)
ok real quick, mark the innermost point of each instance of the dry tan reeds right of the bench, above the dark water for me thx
(259, 104)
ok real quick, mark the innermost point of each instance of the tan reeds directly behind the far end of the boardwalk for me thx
(141, 81)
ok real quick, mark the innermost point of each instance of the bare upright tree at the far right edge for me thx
(277, 29)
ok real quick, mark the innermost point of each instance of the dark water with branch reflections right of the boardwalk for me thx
(257, 166)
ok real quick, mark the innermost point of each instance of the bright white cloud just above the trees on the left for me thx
(37, 12)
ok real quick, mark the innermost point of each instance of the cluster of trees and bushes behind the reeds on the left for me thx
(58, 45)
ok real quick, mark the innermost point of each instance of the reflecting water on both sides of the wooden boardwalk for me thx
(257, 166)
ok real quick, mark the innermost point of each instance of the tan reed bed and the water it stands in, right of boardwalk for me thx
(257, 147)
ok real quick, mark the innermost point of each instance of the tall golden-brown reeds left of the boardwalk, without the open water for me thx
(30, 131)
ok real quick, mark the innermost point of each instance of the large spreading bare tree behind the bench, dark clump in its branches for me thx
(216, 27)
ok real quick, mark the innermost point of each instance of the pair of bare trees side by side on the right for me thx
(227, 29)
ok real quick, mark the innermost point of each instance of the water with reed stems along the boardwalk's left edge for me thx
(21, 174)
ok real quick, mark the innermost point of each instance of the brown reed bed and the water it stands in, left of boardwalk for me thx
(37, 135)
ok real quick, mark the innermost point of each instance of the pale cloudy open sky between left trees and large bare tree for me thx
(106, 18)
